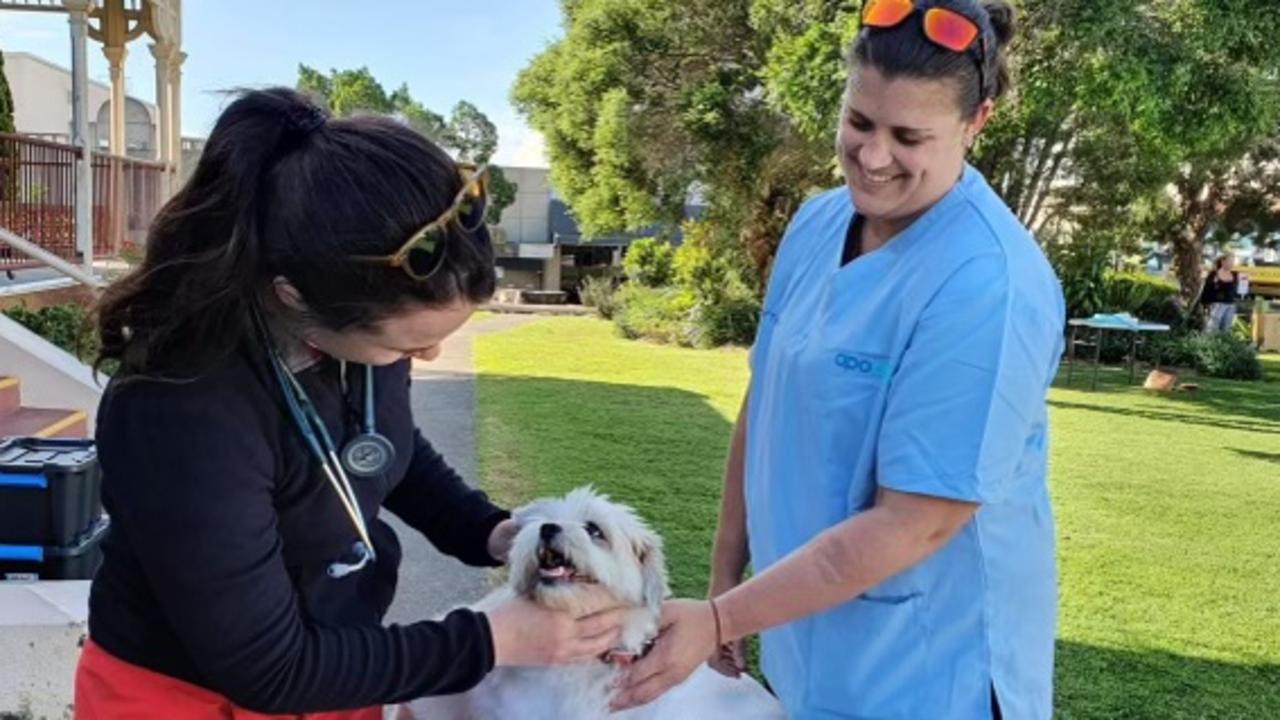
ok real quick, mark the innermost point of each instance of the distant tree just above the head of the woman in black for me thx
(469, 134)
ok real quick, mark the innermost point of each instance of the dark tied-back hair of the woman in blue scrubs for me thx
(904, 52)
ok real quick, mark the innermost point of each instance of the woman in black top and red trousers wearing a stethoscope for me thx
(239, 568)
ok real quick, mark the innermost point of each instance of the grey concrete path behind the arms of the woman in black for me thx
(444, 399)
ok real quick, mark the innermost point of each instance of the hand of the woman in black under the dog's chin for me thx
(525, 634)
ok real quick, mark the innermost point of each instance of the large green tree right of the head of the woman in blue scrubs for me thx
(1164, 99)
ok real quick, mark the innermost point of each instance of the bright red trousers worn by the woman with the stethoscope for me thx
(109, 689)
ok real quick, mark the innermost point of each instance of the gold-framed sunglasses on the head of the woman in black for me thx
(423, 253)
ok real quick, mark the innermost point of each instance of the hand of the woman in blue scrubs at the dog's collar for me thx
(687, 639)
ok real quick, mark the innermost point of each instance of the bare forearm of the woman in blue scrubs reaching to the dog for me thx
(843, 563)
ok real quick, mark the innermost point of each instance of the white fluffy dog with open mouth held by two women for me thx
(568, 550)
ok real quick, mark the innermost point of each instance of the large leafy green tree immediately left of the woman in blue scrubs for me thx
(646, 102)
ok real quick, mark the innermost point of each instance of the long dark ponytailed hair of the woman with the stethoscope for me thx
(284, 192)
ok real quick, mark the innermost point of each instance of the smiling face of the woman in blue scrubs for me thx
(902, 143)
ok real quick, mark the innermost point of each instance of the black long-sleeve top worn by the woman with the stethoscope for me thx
(223, 527)
